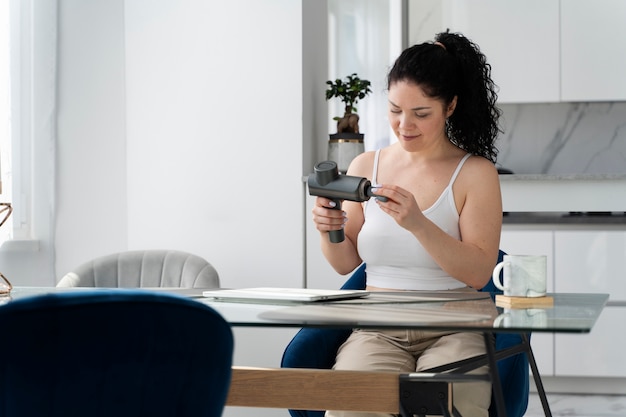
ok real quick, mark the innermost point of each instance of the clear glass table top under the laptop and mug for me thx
(456, 311)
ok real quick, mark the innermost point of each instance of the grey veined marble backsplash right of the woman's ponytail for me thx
(563, 138)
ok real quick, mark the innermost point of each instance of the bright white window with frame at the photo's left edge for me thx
(18, 156)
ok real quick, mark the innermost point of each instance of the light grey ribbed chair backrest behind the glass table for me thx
(147, 268)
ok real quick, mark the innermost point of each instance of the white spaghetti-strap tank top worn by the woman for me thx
(394, 258)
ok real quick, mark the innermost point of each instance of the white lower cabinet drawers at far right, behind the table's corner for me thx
(593, 262)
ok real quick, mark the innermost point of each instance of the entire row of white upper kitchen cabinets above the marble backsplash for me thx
(540, 50)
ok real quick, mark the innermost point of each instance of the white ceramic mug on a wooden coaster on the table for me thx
(524, 275)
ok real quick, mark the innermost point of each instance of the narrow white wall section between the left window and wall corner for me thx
(91, 192)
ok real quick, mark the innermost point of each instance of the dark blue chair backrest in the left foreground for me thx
(113, 353)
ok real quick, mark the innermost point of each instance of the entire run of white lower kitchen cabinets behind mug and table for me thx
(580, 261)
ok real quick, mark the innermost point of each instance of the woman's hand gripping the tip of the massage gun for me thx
(400, 204)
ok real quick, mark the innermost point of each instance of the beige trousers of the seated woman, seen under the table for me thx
(413, 350)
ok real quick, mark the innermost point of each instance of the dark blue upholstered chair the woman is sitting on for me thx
(317, 348)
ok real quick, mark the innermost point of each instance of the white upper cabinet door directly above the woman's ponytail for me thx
(520, 40)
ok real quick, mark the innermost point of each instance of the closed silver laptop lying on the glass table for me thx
(284, 294)
